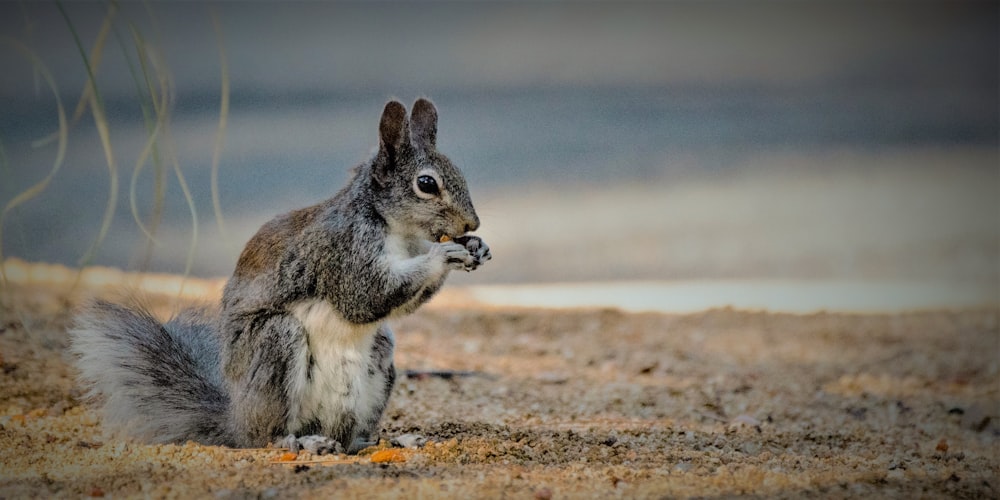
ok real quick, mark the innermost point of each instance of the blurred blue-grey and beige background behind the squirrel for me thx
(823, 141)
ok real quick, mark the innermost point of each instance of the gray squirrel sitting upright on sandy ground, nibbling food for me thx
(299, 353)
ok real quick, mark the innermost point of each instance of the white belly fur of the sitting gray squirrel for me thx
(340, 381)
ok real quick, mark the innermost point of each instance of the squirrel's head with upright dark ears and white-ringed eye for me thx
(418, 189)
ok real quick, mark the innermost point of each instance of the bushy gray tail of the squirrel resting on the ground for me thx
(158, 383)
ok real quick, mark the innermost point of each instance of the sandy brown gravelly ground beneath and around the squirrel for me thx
(591, 403)
